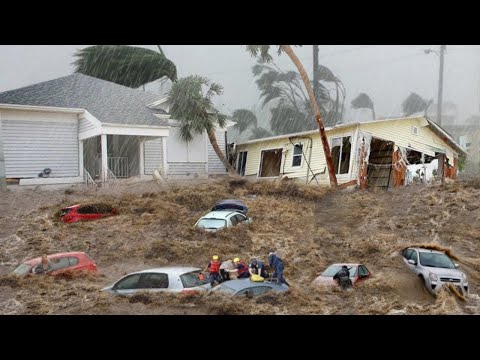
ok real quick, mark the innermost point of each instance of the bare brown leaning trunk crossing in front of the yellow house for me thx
(318, 117)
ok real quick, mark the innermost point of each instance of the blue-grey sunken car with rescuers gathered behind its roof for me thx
(248, 288)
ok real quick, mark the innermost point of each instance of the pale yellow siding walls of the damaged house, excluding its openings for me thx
(399, 132)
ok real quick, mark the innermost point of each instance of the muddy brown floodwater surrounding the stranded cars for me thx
(310, 227)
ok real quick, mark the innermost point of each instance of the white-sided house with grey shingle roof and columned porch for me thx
(79, 127)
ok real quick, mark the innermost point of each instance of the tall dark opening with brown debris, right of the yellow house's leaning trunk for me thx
(380, 163)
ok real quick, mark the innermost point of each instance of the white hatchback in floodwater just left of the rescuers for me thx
(171, 279)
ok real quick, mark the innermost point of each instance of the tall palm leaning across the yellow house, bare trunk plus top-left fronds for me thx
(263, 52)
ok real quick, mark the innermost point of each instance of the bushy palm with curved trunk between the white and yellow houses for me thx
(190, 100)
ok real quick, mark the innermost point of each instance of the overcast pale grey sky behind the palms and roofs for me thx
(386, 72)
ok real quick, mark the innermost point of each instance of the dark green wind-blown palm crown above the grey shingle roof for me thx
(125, 65)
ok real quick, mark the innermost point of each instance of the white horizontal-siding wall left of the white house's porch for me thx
(34, 141)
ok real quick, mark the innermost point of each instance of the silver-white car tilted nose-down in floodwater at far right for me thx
(435, 268)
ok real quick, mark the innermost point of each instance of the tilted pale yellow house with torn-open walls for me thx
(381, 153)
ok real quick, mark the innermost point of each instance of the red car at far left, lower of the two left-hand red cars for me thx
(57, 264)
